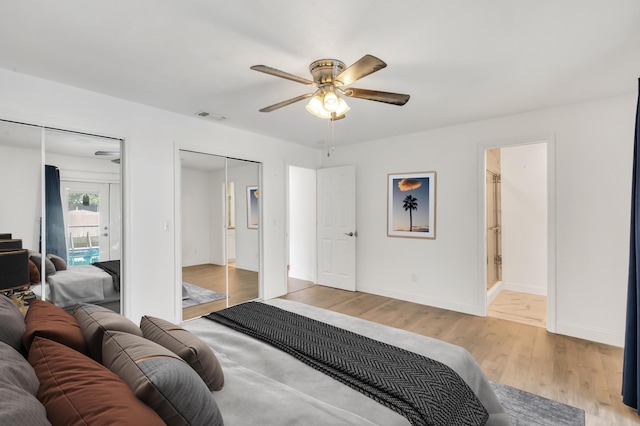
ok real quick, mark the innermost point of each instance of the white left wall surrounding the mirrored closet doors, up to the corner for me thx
(152, 139)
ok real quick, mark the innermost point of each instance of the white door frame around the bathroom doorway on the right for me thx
(551, 223)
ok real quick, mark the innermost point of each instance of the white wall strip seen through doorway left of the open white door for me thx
(302, 223)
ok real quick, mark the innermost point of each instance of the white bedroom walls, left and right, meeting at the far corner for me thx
(594, 146)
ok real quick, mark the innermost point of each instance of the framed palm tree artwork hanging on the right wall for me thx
(411, 205)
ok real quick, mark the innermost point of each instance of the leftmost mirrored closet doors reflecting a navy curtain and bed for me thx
(66, 187)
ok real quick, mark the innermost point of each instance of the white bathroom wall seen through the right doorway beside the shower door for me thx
(524, 218)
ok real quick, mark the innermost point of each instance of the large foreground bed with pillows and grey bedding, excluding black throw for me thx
(58, 368)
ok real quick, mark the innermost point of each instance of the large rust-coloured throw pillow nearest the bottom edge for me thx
(77, 390)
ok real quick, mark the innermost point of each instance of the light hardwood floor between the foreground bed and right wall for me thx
(581, 373)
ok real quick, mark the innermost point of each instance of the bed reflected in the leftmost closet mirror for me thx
(97, 283)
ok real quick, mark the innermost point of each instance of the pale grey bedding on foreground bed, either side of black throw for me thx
(266, 386)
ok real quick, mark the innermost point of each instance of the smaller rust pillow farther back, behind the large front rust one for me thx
(47, 320)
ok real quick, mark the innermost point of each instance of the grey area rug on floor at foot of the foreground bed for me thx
(527, 409)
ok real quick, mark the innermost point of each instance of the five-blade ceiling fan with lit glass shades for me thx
(331, 77)
